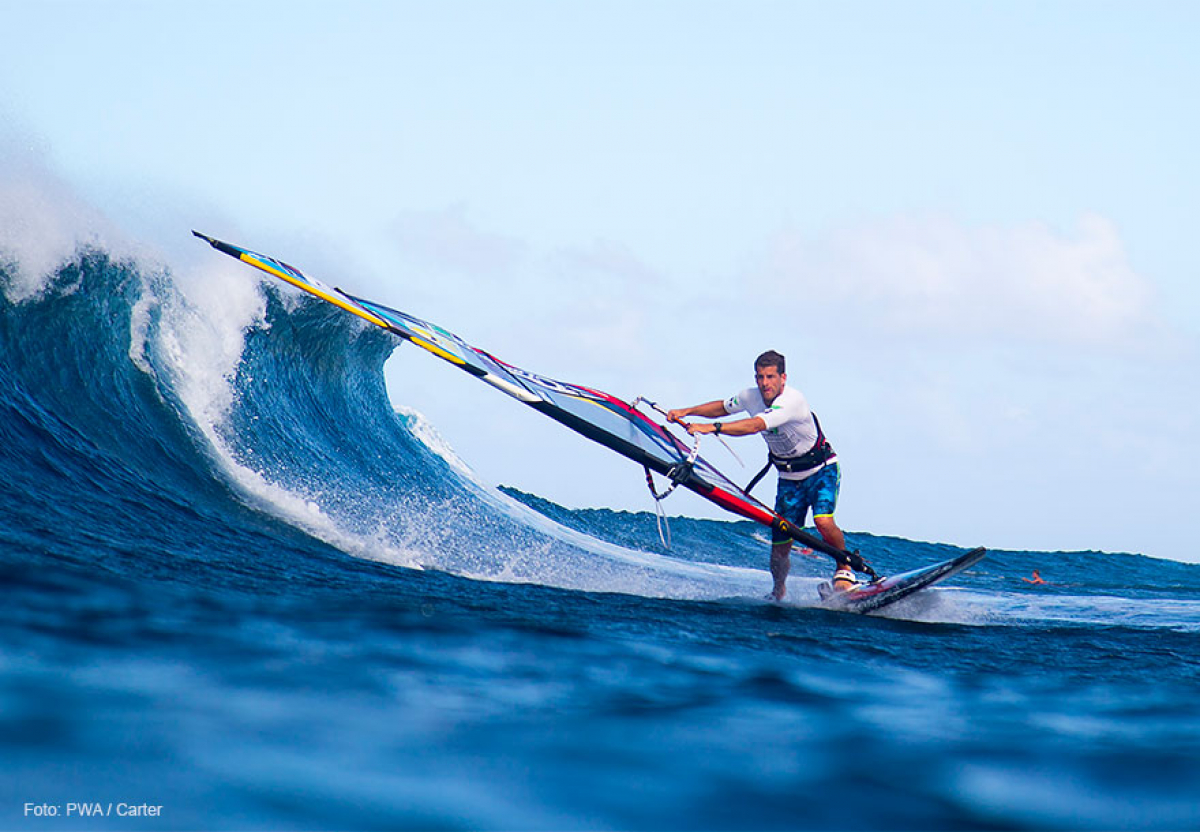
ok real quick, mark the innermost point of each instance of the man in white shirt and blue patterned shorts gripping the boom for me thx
(809, 475)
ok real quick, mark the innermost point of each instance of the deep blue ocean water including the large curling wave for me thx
(243, 591)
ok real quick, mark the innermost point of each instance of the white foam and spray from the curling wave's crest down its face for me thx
(45, 225)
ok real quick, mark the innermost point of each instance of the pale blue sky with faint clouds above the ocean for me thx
(967, 224)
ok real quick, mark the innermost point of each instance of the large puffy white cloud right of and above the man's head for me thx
(934, 277)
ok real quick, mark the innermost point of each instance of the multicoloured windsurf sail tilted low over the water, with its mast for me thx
(598, 416)
